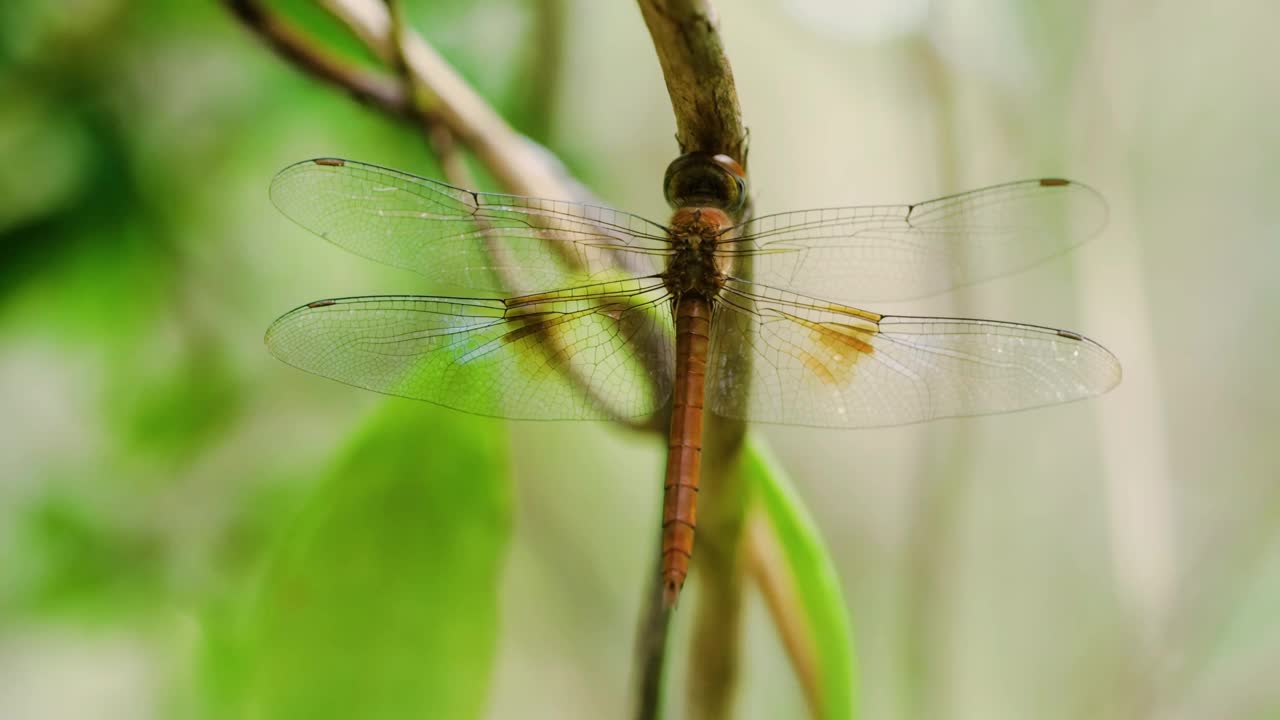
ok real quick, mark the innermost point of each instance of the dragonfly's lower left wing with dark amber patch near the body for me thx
(589, 353)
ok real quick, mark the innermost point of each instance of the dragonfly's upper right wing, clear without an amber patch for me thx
(899, 253)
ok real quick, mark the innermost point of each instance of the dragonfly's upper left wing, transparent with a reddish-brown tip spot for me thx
(479, 241)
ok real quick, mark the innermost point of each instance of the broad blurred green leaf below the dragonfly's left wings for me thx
(383, 601)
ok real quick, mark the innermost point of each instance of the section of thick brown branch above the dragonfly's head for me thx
(700, 80)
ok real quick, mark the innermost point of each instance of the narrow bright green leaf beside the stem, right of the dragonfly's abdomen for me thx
(813, 577)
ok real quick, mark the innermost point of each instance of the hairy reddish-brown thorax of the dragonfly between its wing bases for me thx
(694, 266)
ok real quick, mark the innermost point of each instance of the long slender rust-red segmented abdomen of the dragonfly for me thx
(685, 446)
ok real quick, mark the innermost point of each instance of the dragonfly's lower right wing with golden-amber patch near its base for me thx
(815, 363)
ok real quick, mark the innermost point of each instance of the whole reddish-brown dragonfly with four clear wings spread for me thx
(577, 312)
